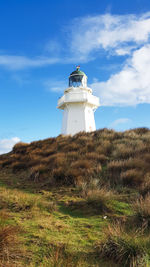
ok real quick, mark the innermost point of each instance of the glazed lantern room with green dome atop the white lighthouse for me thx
(78, 78)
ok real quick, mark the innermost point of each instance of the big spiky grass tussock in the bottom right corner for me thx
(124, 248)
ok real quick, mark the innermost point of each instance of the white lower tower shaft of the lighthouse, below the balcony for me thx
(77, 118)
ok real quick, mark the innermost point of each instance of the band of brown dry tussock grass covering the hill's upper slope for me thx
(119, 158)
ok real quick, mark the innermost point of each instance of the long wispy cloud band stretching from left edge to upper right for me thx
(85, 38)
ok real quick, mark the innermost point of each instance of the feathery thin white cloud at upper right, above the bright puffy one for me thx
(108, 32)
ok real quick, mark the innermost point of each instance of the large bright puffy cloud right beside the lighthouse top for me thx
(130, 86)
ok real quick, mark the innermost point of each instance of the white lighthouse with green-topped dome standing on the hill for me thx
(78, 105)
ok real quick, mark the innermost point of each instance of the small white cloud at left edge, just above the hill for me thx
(6, 145)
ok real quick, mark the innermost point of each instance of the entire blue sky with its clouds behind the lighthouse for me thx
(41, 42)
